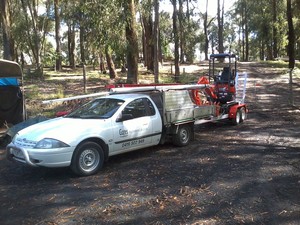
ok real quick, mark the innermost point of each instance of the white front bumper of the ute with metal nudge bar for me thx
(57, 157)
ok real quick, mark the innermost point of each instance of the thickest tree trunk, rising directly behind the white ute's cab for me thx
(132, 41)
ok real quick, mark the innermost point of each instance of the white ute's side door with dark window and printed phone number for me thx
(136, 129)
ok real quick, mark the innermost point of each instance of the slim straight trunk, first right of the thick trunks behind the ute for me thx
(176, 41)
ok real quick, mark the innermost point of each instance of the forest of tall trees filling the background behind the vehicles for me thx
(112, 34)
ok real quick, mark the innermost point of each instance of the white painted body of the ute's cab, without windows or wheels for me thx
(116, 136)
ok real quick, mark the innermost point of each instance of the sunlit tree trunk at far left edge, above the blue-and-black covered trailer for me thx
(8, 42)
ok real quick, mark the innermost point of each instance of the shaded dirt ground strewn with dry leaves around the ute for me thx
(245, 174)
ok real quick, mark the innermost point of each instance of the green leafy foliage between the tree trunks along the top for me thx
(104, 26)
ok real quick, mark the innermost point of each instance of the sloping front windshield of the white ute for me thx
(98, 109)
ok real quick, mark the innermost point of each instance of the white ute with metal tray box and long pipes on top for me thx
(117, 123)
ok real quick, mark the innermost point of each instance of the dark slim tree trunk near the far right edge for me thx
(291, 35)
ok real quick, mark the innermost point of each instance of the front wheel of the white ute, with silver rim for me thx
(87, 159)
